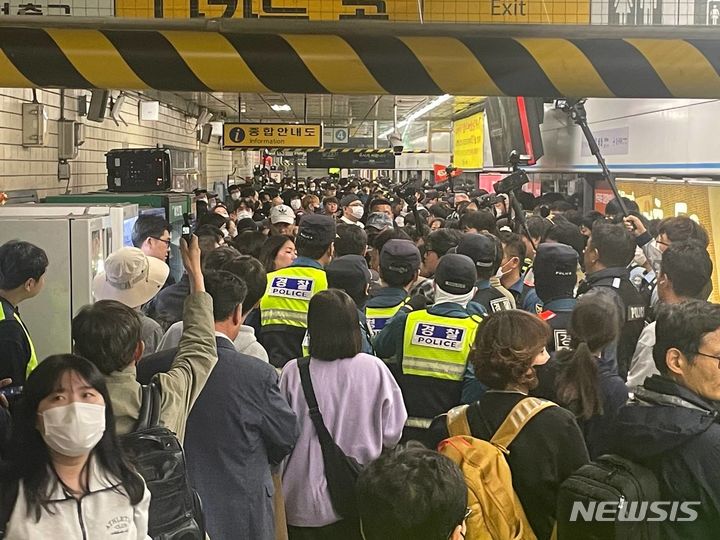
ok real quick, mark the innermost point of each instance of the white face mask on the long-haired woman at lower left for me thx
(73, 430)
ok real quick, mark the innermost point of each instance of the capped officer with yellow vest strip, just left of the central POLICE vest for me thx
(399, 269)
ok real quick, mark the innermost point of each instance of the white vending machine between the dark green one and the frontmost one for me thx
(122, 216)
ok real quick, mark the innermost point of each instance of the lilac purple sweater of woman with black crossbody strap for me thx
(363, 409)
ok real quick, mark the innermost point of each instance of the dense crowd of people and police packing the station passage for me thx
(330, 343)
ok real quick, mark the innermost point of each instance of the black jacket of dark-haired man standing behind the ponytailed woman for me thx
(634, 307)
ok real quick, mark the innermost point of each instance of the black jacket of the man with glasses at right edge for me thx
(676, 433)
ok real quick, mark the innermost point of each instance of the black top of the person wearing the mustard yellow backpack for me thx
(548, 450)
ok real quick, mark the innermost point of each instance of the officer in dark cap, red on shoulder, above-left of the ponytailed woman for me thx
(555, 280)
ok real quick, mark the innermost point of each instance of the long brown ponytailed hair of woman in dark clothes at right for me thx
(594, 324)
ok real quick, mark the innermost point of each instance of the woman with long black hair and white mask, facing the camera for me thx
(68, 477)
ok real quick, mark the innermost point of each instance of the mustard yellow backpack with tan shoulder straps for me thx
(496, 512)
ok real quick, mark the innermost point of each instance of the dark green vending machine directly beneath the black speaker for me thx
(173, 204)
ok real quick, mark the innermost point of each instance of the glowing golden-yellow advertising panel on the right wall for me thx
(659, 201)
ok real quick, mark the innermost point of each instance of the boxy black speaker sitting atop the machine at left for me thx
(137, 170)
